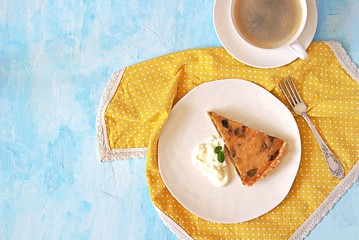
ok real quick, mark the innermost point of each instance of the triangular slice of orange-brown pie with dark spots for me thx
(254, 154)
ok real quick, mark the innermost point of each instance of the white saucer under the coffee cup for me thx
(253, 56)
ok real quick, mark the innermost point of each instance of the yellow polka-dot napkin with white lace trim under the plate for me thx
(138, 100)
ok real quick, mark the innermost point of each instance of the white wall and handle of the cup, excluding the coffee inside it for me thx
(292, 44)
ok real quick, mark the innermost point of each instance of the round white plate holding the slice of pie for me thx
(188, 124)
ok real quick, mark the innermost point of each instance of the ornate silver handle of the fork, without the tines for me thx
(335, 167)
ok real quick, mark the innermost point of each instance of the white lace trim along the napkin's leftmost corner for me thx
(105, 152)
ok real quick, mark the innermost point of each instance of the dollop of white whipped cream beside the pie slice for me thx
(205, 159)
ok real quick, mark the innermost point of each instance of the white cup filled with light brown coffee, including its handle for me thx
(271, 24)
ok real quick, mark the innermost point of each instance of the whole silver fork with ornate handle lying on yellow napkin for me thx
(291, 94)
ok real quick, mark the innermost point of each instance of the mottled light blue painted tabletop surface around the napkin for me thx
(55, 60)
